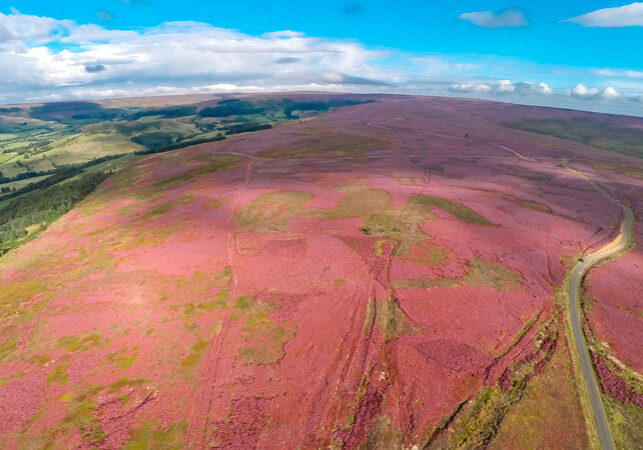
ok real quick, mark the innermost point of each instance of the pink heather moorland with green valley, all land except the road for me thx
(370, 272)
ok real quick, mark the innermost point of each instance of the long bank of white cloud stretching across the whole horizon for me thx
(44, 59)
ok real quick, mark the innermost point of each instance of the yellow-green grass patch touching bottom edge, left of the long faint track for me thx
(151, 435)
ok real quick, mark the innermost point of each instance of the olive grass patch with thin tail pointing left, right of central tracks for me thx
(481, 273)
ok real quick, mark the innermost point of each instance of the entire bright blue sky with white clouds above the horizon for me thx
(521, 51)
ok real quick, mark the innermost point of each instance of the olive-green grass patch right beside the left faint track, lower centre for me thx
(264, 337)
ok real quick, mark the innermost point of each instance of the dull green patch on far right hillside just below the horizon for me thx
(602, 134)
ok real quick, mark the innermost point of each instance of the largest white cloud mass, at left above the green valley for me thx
(182, 53)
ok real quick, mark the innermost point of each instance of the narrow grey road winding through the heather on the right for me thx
(618, 244)
